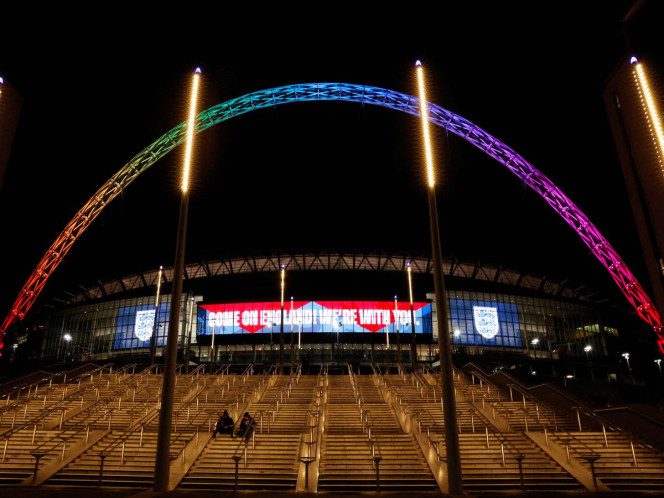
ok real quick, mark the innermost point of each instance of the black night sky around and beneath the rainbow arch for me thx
(319, 176)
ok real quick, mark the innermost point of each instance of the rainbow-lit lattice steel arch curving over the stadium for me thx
(309, 92)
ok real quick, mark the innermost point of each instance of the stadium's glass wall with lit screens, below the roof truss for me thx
(480, 322)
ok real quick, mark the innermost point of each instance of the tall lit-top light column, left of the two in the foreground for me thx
(162, 460)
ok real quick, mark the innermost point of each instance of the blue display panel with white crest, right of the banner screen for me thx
(488, 323)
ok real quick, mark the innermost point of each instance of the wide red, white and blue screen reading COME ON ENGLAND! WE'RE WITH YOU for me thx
(313, 316)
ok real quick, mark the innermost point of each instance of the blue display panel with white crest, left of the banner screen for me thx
(134, 325)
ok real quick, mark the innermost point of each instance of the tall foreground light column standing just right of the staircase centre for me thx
(444, 343)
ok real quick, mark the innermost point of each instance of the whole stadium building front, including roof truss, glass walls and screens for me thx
(343, 309)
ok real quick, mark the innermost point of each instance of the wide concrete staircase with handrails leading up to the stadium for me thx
(119, 414)
